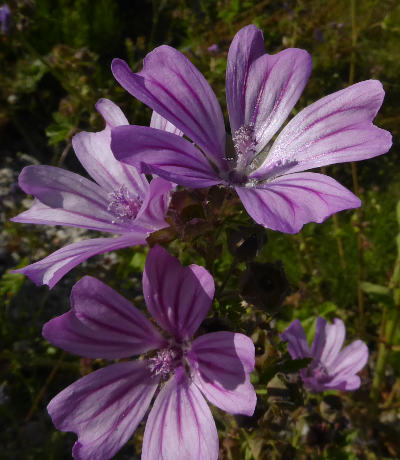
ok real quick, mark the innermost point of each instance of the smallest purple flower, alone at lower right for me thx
(331, 368)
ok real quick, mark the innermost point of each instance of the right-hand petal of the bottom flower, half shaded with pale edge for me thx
(222, 363)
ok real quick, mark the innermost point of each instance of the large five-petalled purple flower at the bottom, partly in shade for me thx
(105, 407)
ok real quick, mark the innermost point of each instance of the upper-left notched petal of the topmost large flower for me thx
(172, 86)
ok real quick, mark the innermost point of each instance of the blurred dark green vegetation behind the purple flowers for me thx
(54, 66)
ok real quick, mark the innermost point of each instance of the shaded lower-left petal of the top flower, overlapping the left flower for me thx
(165, 154)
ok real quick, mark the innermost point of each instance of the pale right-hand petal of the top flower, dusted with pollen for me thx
(335, 129)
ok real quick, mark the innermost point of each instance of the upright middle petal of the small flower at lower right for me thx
(328, 340)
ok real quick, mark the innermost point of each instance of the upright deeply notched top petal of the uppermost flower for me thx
(262, 89)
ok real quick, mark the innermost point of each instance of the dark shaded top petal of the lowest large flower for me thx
(177, 297)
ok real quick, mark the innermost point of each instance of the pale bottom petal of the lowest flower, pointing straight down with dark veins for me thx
(180, 424)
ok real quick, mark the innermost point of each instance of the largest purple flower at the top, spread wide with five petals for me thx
(261, 91)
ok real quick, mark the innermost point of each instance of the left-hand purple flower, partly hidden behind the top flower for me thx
(120, 202)
